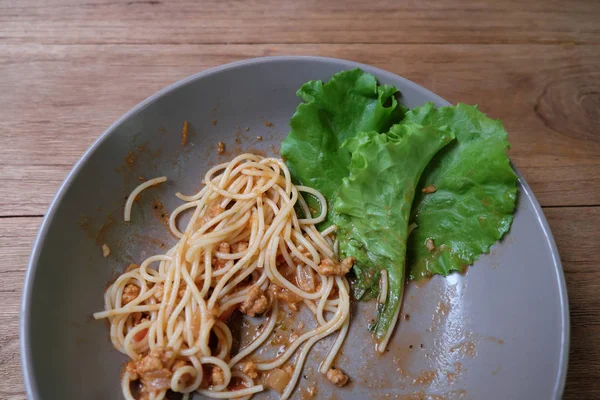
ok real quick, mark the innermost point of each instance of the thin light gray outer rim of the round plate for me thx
(26, 299)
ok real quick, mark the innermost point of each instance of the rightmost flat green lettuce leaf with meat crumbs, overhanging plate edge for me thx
(476, 192)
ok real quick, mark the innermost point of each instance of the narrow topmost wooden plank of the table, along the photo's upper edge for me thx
(312, 21)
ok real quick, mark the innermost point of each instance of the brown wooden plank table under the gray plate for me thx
(69, 68)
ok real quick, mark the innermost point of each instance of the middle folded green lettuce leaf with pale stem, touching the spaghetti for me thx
(373, 206)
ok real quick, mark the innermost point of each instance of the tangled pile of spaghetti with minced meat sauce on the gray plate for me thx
(244, 248)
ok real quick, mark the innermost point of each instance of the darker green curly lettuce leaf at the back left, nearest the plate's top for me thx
(333, 112)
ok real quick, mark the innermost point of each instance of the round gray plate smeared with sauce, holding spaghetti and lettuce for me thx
(500, 331)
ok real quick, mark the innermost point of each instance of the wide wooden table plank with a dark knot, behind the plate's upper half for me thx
(60, 98)
